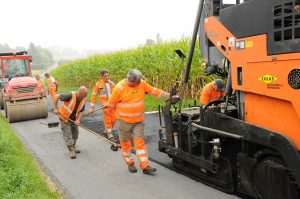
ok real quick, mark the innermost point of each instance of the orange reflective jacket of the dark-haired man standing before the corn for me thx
(100, 88)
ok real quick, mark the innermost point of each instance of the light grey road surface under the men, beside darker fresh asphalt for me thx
(99, 172)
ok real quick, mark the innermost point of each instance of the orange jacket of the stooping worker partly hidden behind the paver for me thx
(209, 93)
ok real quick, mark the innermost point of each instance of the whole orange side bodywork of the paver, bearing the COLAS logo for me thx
(270, 102)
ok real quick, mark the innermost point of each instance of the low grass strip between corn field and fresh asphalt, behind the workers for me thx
(151, 103)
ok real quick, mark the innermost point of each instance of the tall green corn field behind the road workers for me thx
(159, 63)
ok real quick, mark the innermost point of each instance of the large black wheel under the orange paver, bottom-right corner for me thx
(271, 179)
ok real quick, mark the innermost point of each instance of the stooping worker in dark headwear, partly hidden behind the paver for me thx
(212, 91)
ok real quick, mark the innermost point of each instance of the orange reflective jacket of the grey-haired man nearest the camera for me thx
(128, 102)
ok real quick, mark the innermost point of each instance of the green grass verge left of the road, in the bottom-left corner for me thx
(20, 176)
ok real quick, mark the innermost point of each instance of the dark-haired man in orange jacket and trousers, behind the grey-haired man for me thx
(104, 88)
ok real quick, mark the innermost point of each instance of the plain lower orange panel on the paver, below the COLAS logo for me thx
(274, 114)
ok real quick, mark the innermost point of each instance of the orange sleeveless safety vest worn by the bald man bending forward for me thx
(67, 108)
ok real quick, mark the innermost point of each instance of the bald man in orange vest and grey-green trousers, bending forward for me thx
(71, 109)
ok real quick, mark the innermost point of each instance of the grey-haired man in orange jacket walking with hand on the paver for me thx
(127, 100)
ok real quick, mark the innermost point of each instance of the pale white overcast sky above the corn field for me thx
(94, 24)
